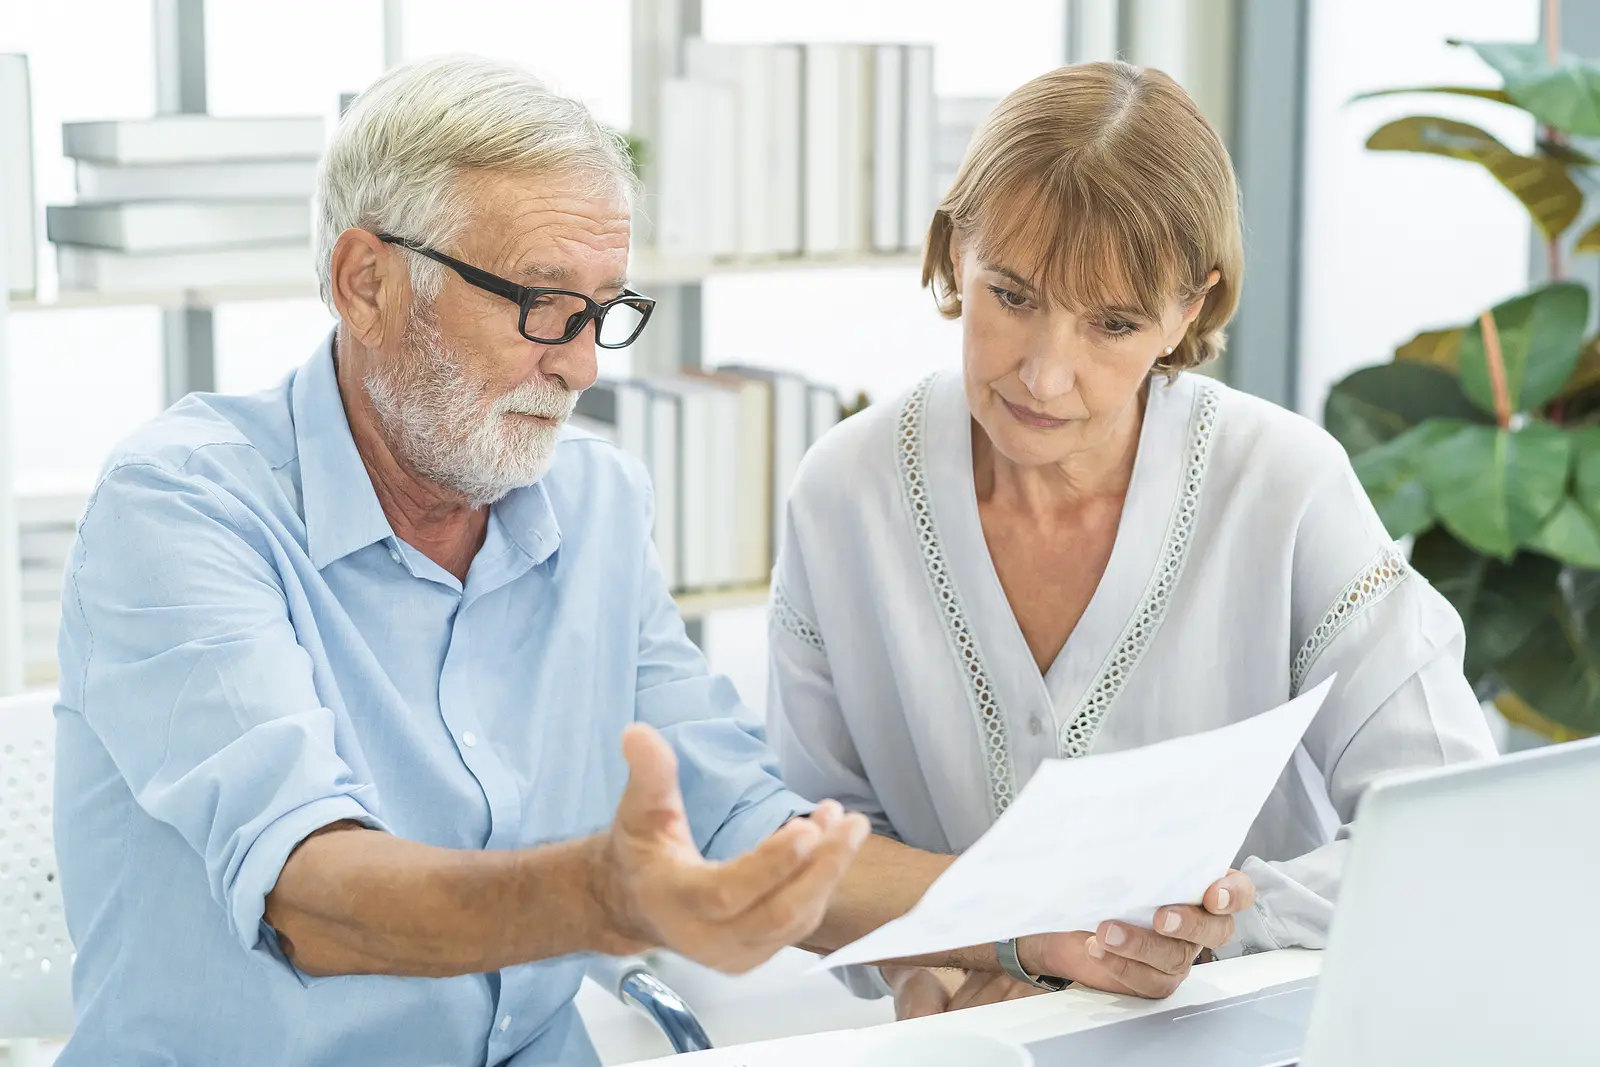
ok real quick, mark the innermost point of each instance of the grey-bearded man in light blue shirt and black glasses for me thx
(377, 714)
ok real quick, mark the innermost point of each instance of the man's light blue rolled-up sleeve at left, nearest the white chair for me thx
(180, 655)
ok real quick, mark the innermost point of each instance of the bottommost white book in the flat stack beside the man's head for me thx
(132, 273)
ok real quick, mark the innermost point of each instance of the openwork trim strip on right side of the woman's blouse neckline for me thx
(1087, 717)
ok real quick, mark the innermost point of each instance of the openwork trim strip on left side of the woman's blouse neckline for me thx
(980, 690)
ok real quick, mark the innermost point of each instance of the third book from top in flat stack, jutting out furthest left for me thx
(159, 226)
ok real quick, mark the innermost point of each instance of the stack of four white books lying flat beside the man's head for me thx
(188, 202)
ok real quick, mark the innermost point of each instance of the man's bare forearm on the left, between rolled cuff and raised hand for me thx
(356, 901)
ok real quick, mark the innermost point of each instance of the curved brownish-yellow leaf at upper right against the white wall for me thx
(1545, 188)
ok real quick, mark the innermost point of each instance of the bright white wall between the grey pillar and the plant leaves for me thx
(1396, 244)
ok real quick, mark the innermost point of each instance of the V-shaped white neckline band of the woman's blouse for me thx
(1116, 625)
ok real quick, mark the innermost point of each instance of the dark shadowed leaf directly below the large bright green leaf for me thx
(1500, 604)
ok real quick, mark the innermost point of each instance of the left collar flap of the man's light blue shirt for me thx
(337, 494)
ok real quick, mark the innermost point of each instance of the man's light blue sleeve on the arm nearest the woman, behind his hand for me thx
(727, 772)
